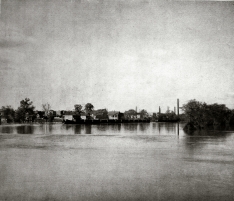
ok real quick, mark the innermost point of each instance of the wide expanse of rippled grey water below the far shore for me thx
(151, 161)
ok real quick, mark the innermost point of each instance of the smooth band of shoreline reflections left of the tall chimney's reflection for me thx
(104, 129)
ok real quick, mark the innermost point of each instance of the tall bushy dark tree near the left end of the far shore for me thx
(24, 110)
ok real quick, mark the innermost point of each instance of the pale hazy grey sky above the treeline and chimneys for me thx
(116, 54)
